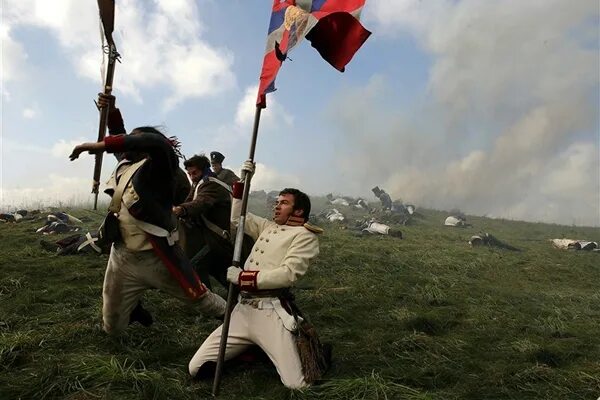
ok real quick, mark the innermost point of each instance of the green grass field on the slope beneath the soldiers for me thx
(423, 317)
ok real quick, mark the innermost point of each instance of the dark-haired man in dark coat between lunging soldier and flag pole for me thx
(206, 220)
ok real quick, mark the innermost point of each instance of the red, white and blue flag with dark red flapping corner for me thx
(331, 26)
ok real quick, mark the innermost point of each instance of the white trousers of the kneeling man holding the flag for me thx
(263, 327)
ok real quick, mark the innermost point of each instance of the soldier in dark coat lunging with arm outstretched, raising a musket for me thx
(144, 254)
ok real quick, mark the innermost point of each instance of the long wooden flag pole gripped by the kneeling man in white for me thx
(237, 256)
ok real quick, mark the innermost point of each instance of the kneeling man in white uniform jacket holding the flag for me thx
(283, 250)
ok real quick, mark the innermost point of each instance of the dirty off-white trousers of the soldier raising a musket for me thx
(129, 274)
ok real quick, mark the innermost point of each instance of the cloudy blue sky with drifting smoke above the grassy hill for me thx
(490, 107)
